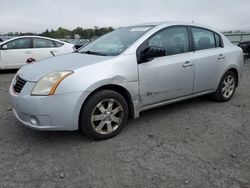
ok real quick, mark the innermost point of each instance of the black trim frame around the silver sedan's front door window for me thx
(161, 30)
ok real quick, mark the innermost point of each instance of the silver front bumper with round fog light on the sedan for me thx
(55, 112)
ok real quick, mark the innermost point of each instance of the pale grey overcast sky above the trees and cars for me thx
(38, 15)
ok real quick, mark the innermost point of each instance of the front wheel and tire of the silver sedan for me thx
(104, 115)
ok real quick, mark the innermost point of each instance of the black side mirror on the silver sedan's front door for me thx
(152, 52)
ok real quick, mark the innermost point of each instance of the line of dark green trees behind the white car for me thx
(79, 32)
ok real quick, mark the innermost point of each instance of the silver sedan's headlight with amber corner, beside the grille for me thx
(47, 85)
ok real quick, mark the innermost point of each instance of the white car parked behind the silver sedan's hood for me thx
(19, 51)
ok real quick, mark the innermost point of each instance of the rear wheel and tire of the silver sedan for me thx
(226, 88)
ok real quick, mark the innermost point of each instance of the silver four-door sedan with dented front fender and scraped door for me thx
(127, 71)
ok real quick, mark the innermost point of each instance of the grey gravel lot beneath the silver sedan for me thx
(195, 143)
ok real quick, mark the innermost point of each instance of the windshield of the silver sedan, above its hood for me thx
(116, 42)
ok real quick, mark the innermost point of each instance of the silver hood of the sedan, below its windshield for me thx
(33, 72)
